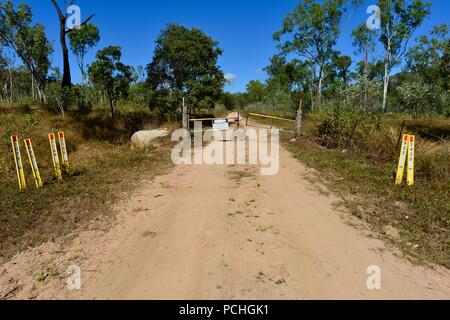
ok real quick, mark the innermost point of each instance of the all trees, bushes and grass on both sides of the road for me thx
(354, 111)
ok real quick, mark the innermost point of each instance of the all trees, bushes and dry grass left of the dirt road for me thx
(98, 115)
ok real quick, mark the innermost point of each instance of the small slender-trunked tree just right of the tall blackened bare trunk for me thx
(81, 40)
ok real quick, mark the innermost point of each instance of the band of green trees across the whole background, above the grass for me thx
(308, 69)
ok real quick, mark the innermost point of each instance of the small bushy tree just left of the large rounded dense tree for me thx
(111, 76)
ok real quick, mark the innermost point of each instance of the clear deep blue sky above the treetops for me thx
(244, 29)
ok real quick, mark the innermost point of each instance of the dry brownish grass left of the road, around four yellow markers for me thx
(103, 165)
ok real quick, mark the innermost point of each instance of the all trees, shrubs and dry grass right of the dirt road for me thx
(355, 112)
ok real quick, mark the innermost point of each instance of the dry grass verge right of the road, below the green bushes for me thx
(364, 178)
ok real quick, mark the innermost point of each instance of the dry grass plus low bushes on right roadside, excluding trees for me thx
(359, 159)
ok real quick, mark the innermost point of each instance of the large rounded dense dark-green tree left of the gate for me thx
(185, 65)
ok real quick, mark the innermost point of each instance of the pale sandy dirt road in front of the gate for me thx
(226, 232)
